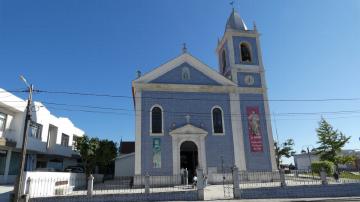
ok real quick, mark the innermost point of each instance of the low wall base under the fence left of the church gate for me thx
(162, 196)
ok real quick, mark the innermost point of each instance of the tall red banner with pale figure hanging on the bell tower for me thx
(254, 129)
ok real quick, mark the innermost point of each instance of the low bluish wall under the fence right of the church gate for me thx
(305, 191)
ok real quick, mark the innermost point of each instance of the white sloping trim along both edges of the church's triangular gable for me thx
(185, 57)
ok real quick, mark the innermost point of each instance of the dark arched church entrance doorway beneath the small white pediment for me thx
(189, 158)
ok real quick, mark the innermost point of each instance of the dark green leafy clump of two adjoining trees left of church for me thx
(95, 152)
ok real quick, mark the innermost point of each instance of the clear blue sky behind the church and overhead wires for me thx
(310, 50)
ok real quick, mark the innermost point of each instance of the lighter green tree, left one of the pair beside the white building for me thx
(87, 147)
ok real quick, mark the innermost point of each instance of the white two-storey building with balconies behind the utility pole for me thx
(50, 138)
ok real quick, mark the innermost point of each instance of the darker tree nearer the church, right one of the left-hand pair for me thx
(105, 154)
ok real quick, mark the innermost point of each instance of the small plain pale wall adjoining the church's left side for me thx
(125, 165)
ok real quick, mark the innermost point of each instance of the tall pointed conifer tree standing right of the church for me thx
(331, 141)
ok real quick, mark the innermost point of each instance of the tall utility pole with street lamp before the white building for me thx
(19, 180)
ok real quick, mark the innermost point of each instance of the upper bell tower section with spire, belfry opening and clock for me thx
(239, 53)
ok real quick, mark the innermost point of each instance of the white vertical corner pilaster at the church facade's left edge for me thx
(137, 96)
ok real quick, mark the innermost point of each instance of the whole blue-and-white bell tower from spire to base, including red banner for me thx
(240, 60)
